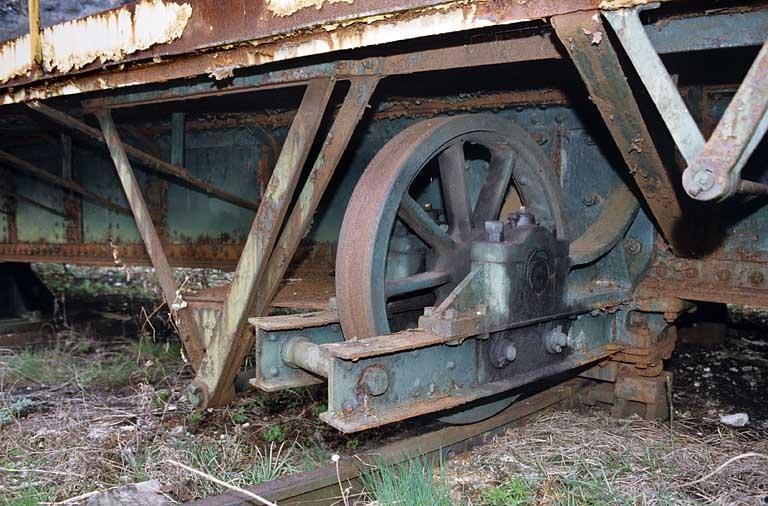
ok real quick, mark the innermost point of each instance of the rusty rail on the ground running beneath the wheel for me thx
(321, 486)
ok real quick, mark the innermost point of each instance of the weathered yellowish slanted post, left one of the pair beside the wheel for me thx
(214, 383)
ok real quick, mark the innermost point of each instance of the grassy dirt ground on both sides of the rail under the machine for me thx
(101, 404)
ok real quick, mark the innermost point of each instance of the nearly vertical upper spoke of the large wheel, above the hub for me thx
(455, 194)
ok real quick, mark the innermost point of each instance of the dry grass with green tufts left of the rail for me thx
(96, 415)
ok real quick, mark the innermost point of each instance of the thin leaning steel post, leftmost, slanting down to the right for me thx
(183, 318)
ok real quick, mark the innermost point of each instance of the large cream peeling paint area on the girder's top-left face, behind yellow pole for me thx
(106, 37)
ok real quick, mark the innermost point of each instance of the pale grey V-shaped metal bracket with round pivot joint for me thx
(714, 167)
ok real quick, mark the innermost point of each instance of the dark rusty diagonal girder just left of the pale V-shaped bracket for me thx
(599, 67)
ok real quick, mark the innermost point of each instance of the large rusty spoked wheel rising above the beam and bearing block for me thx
(419, 205)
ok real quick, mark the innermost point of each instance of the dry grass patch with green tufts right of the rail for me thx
(572, 458)
